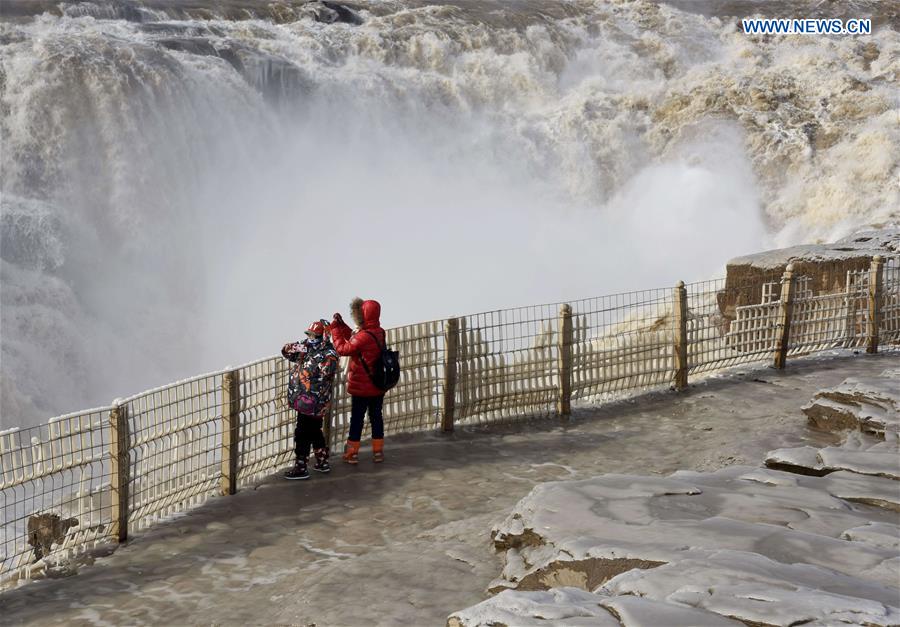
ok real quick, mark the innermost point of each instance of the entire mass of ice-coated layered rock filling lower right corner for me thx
(761, 546)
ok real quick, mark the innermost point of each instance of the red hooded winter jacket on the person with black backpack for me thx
(359, 346)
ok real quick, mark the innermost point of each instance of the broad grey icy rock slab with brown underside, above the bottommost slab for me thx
(583, 533)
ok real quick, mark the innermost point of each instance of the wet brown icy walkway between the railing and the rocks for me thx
(407, 542)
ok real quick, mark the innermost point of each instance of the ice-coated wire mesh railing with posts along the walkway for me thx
(98, 475)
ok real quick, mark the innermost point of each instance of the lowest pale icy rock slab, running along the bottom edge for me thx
(718, 588)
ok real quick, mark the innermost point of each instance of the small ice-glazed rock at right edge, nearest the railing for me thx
(870, 404)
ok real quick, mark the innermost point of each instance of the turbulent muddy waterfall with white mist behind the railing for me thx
(187, 185)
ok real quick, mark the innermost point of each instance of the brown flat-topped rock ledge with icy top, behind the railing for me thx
(826, 265)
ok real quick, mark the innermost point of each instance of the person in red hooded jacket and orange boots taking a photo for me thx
(363, 346)
